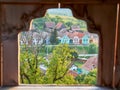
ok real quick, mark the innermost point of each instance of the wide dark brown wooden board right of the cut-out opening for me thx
(101, 14)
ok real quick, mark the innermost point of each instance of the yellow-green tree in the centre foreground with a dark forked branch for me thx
(60, 62)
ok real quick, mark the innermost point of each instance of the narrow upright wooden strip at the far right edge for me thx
(116, 82)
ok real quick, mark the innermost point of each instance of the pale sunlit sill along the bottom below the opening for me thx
(40, 87)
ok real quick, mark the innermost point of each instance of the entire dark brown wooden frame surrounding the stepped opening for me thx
(85, 12)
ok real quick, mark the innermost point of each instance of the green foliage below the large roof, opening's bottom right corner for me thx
(89, 78)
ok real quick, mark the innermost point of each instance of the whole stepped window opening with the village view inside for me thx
(58, 49)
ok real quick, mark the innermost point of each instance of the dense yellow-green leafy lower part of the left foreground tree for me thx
(29, 66)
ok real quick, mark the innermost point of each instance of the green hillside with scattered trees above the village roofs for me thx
(68, 21)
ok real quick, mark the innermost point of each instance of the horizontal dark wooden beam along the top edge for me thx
(51, 1)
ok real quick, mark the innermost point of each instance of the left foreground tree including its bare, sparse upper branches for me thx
(30, 59)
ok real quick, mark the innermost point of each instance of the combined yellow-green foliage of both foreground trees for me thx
(57, 67)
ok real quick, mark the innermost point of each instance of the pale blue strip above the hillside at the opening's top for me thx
(60, 11)
